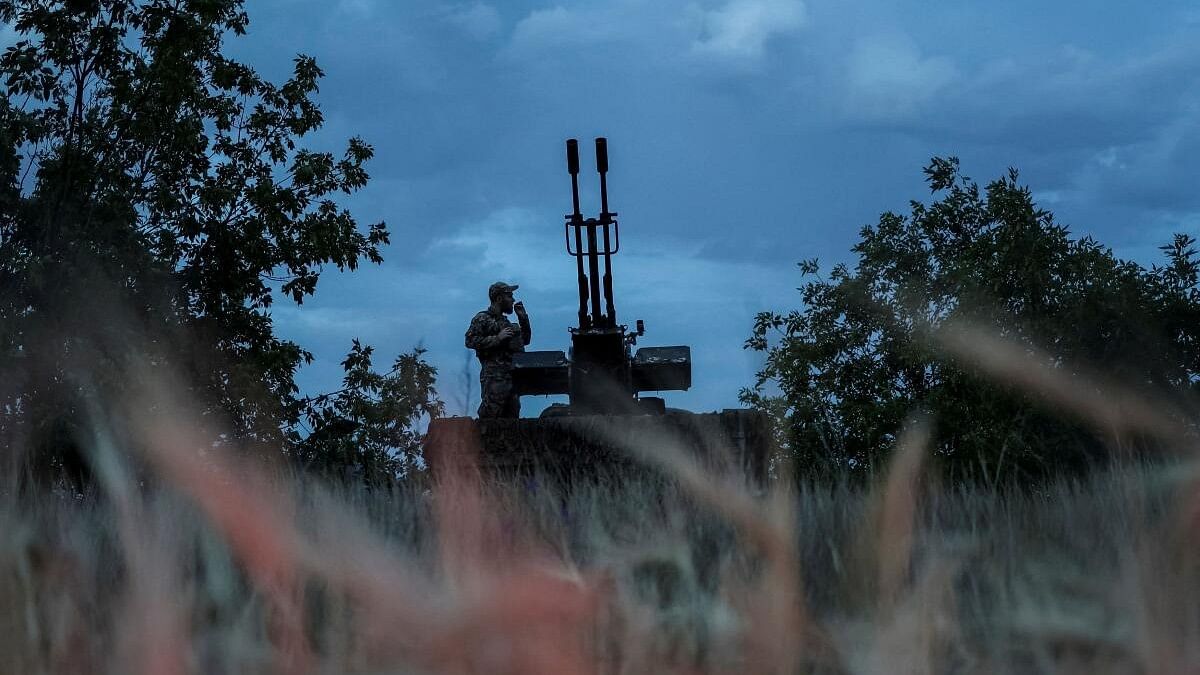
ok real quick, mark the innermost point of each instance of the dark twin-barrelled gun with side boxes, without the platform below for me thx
(602, 374)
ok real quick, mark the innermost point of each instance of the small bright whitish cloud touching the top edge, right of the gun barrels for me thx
(741, 29)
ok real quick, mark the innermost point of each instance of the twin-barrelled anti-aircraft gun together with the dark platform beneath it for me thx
(604, 378)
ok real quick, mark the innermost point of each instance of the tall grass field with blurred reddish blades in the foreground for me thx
(187, 560)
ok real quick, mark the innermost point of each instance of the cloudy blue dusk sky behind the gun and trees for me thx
(745, 136)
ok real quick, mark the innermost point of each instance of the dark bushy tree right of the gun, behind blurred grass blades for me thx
(849, 369)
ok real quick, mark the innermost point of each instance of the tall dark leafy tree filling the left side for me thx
(147, 176)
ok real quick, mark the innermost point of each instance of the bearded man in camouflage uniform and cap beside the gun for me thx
(495, 339)
